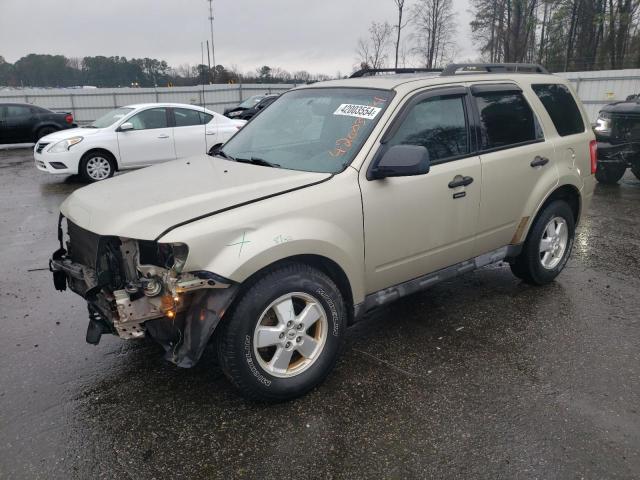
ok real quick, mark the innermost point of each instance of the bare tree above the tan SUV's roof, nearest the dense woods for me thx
(435, 29)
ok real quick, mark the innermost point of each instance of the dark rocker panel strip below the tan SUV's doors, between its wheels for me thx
(391, 294)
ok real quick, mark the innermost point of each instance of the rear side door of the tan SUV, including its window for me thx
(518, 165)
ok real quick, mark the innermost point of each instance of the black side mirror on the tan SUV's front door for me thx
(400, 161)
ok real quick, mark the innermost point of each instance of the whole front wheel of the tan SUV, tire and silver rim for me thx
(284, 334)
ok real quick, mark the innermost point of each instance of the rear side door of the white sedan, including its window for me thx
(190, 132)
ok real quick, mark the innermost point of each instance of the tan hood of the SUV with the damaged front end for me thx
(144, 203)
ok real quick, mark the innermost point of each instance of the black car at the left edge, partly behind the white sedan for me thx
(24, 123)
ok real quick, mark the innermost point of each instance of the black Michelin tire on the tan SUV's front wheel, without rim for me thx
(235, 341)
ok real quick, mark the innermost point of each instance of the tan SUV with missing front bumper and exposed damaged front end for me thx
(339, 198)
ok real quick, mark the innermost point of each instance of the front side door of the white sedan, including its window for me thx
(150, 141)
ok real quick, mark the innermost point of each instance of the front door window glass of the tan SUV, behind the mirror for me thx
(438, 124)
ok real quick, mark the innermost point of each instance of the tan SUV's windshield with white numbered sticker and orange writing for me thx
(315, 129)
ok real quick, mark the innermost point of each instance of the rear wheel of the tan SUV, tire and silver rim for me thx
(548, 245)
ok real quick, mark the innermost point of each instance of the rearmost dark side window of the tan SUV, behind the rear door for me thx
(562, 108)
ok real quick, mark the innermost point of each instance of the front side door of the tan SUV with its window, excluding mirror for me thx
(419, 224)
